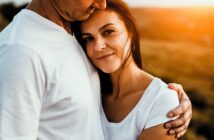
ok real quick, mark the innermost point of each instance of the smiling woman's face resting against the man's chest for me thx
(107, 40)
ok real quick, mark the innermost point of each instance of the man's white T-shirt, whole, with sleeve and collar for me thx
(48, 88)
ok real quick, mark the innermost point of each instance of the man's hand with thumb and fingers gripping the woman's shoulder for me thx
(183, 111)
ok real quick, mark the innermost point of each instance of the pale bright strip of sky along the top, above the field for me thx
(161, 3)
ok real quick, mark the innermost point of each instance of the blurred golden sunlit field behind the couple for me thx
(177, 45)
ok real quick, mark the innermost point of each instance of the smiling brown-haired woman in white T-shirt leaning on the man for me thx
(111, 41)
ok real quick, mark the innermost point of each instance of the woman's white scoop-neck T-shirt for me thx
(151, 110)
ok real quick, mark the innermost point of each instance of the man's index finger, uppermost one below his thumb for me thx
(180, 109)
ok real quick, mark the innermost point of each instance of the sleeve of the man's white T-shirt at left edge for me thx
(21, 89)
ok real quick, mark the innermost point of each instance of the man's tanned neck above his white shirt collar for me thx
(49, 12)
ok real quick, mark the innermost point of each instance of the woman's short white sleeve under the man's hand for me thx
(166, 101)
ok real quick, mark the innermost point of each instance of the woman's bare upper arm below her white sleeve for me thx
(156, 133)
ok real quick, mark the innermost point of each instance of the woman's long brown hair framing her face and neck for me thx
(123, 11)
